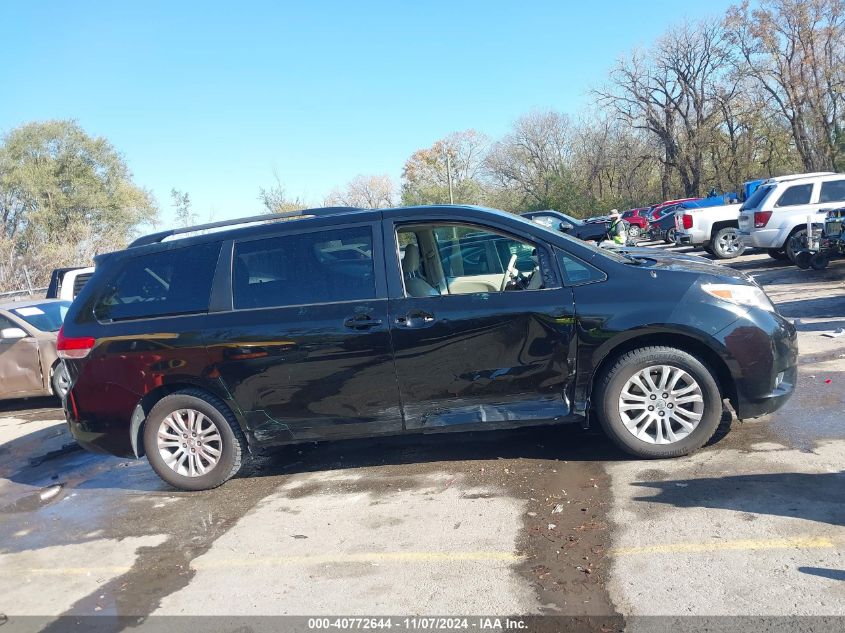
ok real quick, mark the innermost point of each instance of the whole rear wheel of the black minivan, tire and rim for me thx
(193, 441)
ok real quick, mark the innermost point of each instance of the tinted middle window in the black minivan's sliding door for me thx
(321, 267)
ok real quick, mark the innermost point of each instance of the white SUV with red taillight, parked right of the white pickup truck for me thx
(775, 216)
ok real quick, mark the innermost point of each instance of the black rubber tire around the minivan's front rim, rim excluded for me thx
(612, 381)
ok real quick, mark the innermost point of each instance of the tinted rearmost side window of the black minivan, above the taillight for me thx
(167, 283)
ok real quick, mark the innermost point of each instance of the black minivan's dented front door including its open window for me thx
(473, 343)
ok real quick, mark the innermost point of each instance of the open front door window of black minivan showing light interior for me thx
(463, 259)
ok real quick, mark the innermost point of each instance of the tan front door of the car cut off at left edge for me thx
(20, 367)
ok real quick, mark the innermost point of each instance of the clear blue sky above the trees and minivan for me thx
(214, 97)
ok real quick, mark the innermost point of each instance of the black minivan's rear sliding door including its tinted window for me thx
(305, 348)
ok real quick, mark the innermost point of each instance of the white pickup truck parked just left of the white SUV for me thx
(714, 228)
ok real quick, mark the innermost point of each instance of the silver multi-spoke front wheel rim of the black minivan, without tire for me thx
(661, 404)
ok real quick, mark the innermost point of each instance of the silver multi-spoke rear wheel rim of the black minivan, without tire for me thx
(189, 443)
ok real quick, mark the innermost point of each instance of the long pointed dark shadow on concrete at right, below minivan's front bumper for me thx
(815, 497)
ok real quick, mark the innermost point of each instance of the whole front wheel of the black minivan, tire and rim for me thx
(658, 402)
